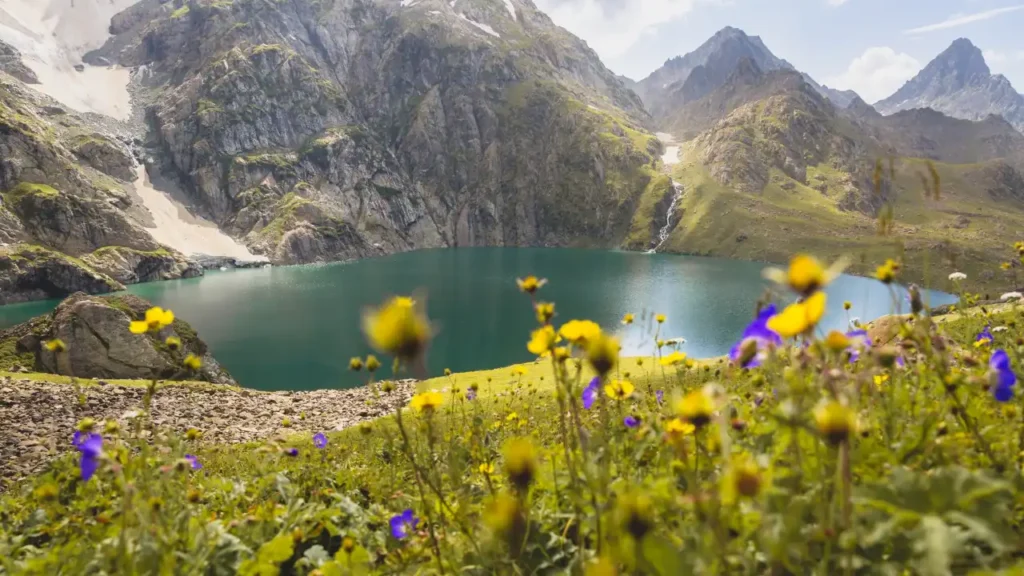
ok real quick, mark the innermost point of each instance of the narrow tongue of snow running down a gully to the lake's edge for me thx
(175, 226)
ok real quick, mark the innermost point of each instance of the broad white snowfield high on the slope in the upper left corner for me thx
(53, 36)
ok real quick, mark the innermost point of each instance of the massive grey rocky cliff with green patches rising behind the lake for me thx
(328, 131)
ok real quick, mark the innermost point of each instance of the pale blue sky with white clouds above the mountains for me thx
(871, 47)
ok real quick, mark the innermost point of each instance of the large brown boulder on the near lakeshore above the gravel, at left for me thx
(101, 346)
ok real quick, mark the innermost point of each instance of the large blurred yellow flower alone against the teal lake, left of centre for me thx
(398, 328)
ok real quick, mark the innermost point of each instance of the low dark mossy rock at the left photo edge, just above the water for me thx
(31, 273)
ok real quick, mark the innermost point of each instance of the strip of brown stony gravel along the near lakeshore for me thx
(42, 416)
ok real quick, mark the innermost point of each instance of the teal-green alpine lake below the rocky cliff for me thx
(294, 328)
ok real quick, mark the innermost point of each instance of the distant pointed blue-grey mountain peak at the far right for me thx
(959, 84)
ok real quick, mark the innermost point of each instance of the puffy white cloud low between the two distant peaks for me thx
(877, 74)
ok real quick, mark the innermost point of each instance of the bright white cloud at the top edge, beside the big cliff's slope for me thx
(612, 27)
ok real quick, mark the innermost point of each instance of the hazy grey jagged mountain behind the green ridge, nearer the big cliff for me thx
(688, 78)
